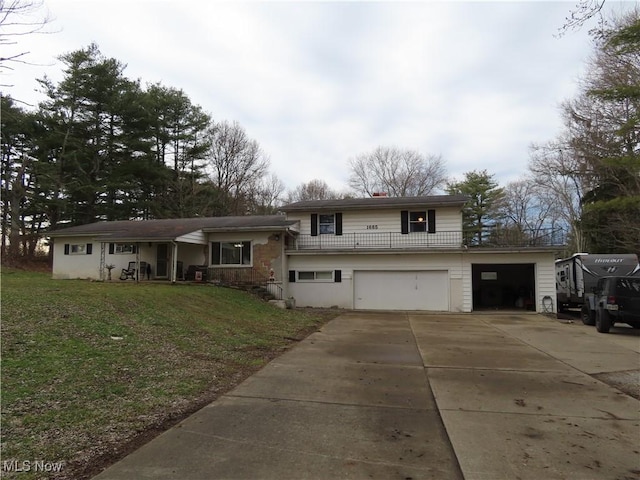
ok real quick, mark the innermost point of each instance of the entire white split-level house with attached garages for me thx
(379, 253)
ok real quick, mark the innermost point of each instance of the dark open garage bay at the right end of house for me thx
(508, 286)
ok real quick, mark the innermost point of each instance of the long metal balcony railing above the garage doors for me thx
(423, 240)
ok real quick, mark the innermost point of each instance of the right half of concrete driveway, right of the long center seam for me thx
(518, 403)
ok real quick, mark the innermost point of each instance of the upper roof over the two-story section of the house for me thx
(377, 202)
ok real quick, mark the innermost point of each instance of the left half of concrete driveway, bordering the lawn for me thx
(351, 401)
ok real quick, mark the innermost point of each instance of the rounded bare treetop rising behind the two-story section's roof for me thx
(399, 173)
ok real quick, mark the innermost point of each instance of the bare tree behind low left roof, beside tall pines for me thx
(237, 164)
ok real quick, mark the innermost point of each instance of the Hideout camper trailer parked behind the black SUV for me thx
(577, 276)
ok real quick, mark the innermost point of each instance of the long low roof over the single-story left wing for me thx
(170, 229)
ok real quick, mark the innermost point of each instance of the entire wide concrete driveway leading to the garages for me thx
(419, 396)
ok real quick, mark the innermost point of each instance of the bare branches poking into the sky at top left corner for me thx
(17, 19)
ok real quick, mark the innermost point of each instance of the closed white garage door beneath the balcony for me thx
(407, 290)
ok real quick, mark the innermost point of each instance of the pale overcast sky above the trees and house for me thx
(317, 83)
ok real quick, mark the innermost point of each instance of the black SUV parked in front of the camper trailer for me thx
(617, 300)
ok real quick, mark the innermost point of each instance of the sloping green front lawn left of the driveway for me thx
(86, 366)
